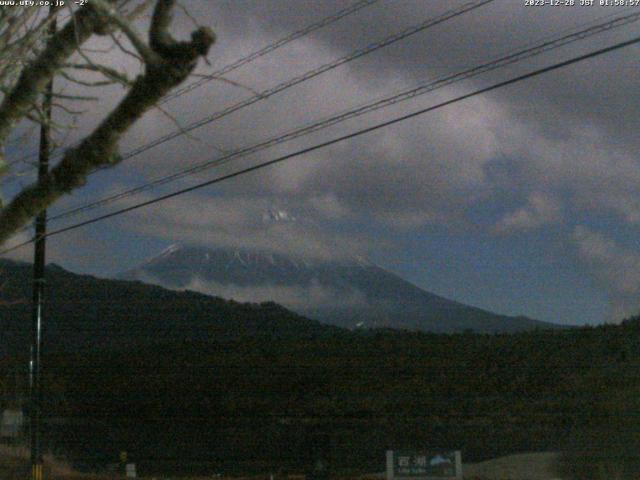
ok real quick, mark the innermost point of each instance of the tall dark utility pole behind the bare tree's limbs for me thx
(35, 374)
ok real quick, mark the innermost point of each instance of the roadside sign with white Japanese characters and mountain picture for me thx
(424, 465)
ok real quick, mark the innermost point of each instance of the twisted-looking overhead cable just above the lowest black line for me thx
(404, 95)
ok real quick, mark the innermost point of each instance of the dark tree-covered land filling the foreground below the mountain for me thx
(258, 388)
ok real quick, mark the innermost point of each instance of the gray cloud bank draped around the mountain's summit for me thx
(240, 222)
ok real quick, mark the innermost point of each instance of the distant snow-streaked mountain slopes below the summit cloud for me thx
(347, 293)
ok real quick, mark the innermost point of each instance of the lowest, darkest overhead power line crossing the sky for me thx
(342, 138)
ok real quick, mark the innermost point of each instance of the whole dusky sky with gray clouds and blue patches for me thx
(525, 200)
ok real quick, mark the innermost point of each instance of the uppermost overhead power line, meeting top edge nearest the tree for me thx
(326, 21)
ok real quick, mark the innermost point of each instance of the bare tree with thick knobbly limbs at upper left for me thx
(29, 59)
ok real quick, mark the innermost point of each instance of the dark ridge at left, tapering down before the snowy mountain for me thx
(87, 313)
